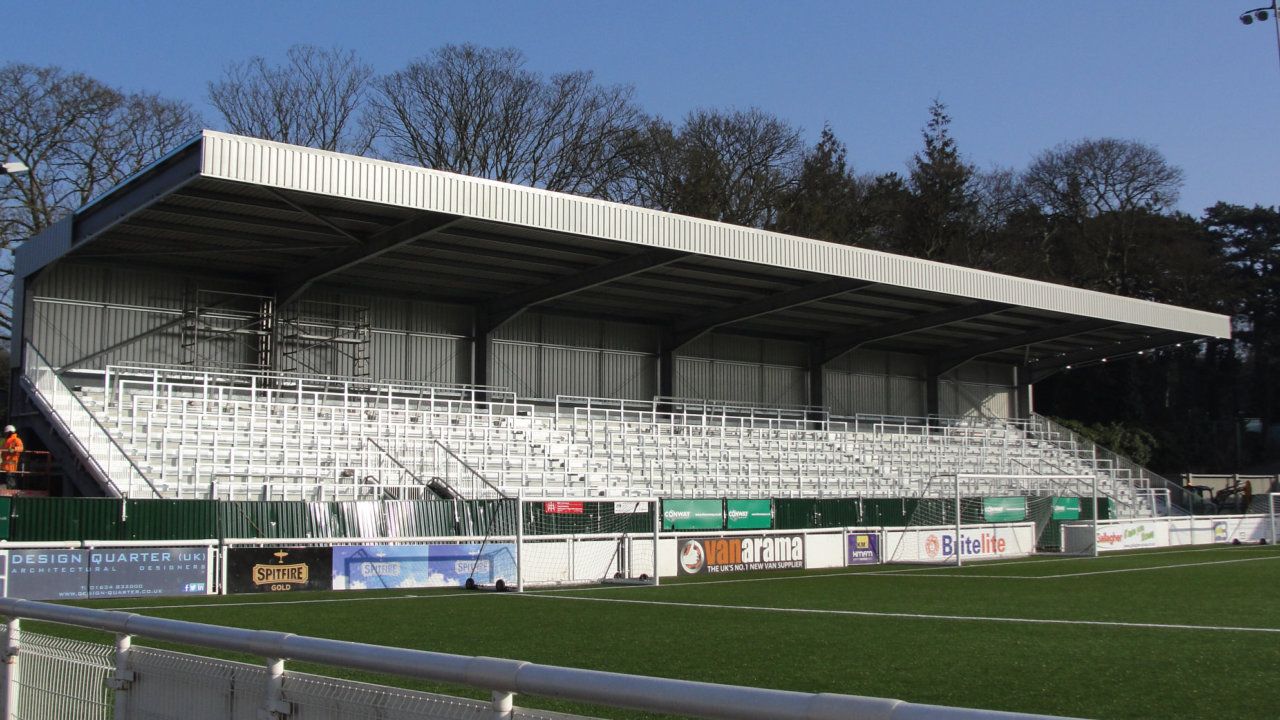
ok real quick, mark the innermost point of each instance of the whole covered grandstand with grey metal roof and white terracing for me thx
(249, 320)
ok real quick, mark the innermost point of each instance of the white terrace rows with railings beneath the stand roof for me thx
(291, 438)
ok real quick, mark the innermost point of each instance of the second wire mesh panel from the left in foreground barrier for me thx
(175, 685)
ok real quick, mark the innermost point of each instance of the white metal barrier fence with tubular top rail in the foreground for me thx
(149, 683)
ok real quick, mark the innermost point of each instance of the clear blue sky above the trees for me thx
(1020, 78)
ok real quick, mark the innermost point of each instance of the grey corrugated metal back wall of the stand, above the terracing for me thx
(80, 309)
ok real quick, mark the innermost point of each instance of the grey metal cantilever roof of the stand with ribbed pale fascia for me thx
(294, 218)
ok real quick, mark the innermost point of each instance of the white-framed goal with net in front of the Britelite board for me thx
(970, 517)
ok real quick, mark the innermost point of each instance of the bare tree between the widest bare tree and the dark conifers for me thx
(734, 167)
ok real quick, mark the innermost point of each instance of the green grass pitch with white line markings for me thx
(1176, 634)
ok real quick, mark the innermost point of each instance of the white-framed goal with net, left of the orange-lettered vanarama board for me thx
(565, 543)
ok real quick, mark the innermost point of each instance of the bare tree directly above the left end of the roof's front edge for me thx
(317, 98)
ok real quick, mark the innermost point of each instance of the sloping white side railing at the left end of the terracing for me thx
(112, 466)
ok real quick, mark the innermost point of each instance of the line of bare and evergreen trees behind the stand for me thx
(1094, 213)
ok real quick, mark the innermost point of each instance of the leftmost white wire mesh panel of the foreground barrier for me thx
(62, 678)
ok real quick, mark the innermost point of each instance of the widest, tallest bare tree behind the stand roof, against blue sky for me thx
(479, 112)
